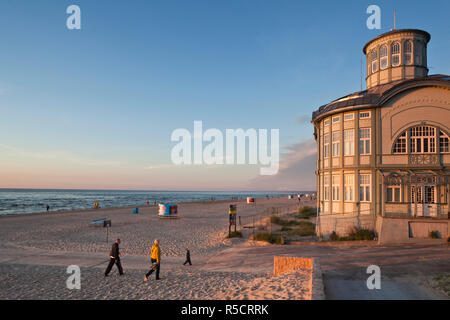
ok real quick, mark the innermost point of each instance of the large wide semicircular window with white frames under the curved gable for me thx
(421, 139)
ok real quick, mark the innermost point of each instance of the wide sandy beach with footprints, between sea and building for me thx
(37, 248)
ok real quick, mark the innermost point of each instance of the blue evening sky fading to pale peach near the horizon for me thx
(95, 108)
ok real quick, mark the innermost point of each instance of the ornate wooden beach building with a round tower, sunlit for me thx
(383, 153)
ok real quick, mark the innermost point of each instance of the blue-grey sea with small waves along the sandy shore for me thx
(16, 201)
